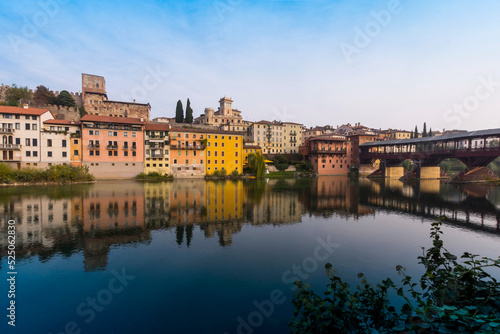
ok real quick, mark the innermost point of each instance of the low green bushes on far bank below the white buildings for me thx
(54, 173)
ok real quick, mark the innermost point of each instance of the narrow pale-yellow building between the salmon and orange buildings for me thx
(156, 149)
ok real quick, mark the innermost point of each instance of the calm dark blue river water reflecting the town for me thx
(191, 256)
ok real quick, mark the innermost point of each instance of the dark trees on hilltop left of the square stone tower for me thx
(16, 96)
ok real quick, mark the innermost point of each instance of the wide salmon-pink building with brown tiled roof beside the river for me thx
(112, 147)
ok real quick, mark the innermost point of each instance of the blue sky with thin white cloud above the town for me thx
(385, 64)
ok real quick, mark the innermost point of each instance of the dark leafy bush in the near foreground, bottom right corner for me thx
(451, 297)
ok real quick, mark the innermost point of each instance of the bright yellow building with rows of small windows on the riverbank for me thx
(224, 152)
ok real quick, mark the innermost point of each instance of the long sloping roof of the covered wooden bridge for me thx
(455, 136)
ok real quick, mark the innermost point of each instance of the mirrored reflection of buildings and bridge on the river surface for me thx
(93, 218)
